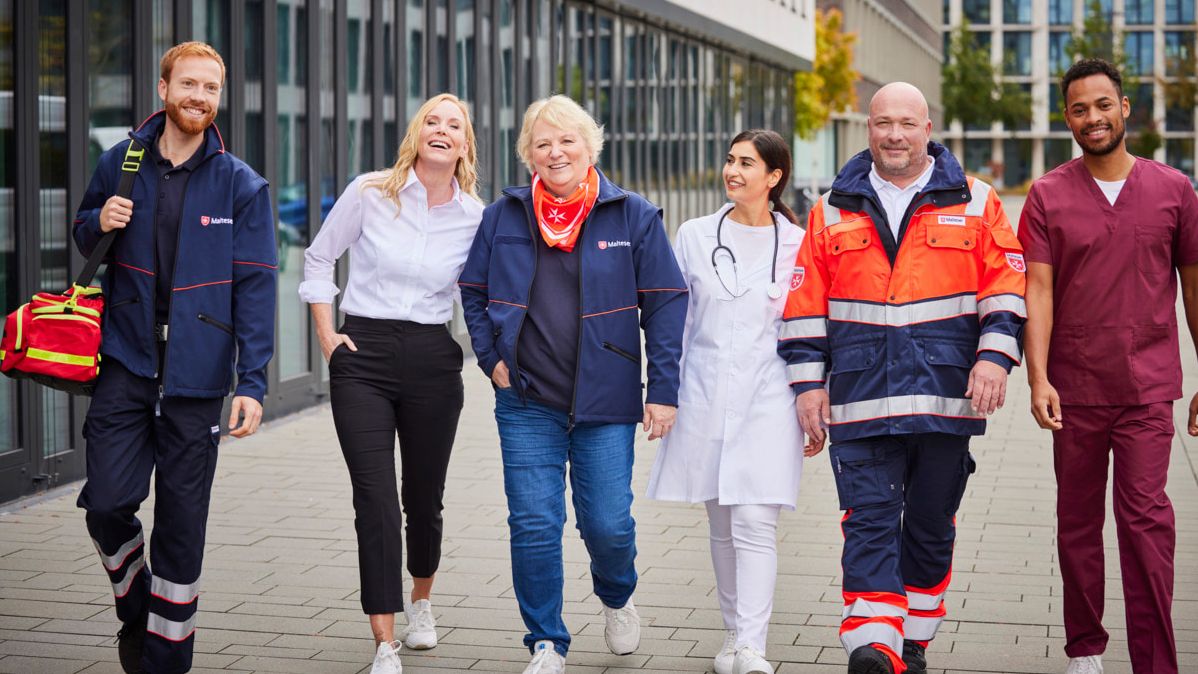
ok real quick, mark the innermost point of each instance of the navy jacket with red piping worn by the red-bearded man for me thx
(223, 297)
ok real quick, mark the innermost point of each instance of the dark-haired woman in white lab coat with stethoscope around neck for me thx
(737, 446)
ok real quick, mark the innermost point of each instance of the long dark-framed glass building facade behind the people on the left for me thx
(320, 92)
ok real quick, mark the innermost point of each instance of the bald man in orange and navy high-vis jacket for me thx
(905, 317)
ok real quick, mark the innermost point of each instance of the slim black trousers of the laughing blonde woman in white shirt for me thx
(406, 380)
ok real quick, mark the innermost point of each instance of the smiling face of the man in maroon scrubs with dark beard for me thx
(1097, 114)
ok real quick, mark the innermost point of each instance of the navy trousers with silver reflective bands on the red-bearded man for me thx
(131, 434)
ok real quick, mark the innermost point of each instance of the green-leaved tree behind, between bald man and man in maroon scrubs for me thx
(972, 89)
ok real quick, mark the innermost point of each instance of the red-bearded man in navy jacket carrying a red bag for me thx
(191, 287)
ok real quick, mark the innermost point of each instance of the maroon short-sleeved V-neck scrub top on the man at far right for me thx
(1115, 337)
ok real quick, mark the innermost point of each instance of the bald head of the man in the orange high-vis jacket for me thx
(899, 133)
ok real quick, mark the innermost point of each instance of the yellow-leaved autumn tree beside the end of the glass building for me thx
(831, 86)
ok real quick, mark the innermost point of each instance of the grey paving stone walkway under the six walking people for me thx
(281, 574)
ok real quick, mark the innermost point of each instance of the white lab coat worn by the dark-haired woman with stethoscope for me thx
(737, 438)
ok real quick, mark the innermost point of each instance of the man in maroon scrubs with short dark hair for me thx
(1103, 236)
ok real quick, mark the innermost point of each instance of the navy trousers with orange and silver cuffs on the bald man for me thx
(901, 496)
